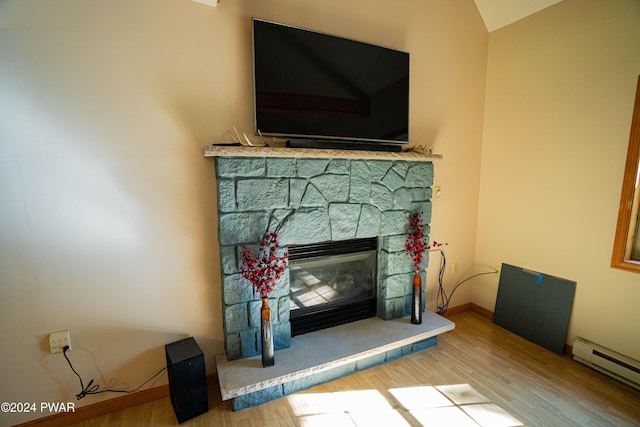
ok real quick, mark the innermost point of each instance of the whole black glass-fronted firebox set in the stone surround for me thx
(332, 283)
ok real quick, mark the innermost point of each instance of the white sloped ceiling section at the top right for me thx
(499, 13)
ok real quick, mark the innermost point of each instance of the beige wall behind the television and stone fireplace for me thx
(107, 213)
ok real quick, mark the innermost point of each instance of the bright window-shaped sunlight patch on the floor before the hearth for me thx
(446, 405)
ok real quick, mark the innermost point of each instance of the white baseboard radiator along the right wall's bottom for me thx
(607, 361)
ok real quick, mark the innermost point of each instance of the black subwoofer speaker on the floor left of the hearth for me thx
(187, 379)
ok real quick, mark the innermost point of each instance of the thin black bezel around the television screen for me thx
(319, 141)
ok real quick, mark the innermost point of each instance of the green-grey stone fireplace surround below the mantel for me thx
(311, 200)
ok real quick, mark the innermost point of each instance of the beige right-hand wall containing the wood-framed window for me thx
(560, 92)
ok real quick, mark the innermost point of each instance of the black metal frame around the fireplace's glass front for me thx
(329, 315)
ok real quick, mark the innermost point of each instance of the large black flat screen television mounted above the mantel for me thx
(317, 89)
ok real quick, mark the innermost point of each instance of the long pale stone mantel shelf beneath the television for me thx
(243, 151)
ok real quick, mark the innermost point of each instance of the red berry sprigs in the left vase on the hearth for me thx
(265, 268)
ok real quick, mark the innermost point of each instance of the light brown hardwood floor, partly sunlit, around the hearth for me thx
(478, 371)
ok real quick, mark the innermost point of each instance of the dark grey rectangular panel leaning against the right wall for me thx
(535, 306)
